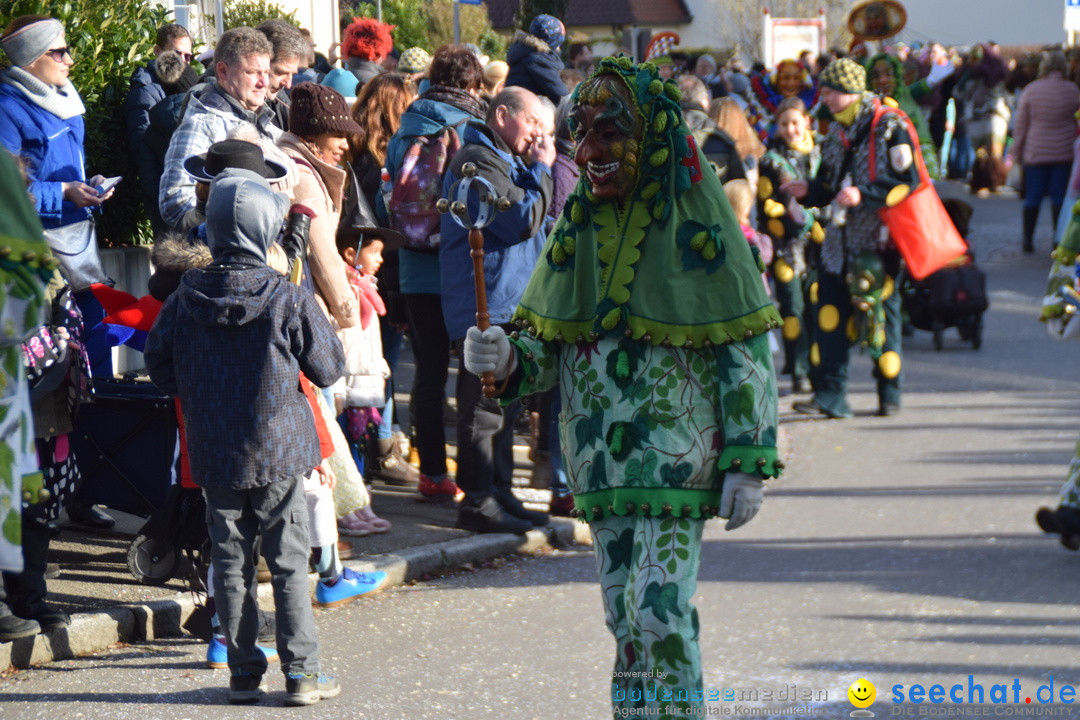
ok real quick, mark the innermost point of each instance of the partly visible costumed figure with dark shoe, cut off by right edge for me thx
(1061, 313)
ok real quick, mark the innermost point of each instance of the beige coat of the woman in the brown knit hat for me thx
(322, 191)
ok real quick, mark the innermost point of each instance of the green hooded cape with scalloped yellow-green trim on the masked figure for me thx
(669, 267)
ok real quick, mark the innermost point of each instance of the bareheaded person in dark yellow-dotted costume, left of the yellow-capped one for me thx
(794, 154)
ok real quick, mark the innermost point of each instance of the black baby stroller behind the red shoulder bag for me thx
(955, 296)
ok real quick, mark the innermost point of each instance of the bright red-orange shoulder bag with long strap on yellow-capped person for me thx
(919, 225)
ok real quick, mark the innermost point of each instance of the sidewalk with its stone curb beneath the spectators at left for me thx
(109, 606)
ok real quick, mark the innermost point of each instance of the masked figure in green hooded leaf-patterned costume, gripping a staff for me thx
(649, 313)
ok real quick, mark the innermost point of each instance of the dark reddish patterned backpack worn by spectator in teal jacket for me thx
(418, 187)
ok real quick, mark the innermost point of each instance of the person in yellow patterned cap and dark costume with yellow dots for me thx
(855, 300)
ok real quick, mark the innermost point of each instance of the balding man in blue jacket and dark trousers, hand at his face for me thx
(515, 154)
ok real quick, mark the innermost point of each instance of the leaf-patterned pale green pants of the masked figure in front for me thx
(649, 573)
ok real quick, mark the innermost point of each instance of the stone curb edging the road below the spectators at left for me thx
(164, 619)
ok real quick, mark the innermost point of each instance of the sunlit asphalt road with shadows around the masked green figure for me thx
(900, 550)
